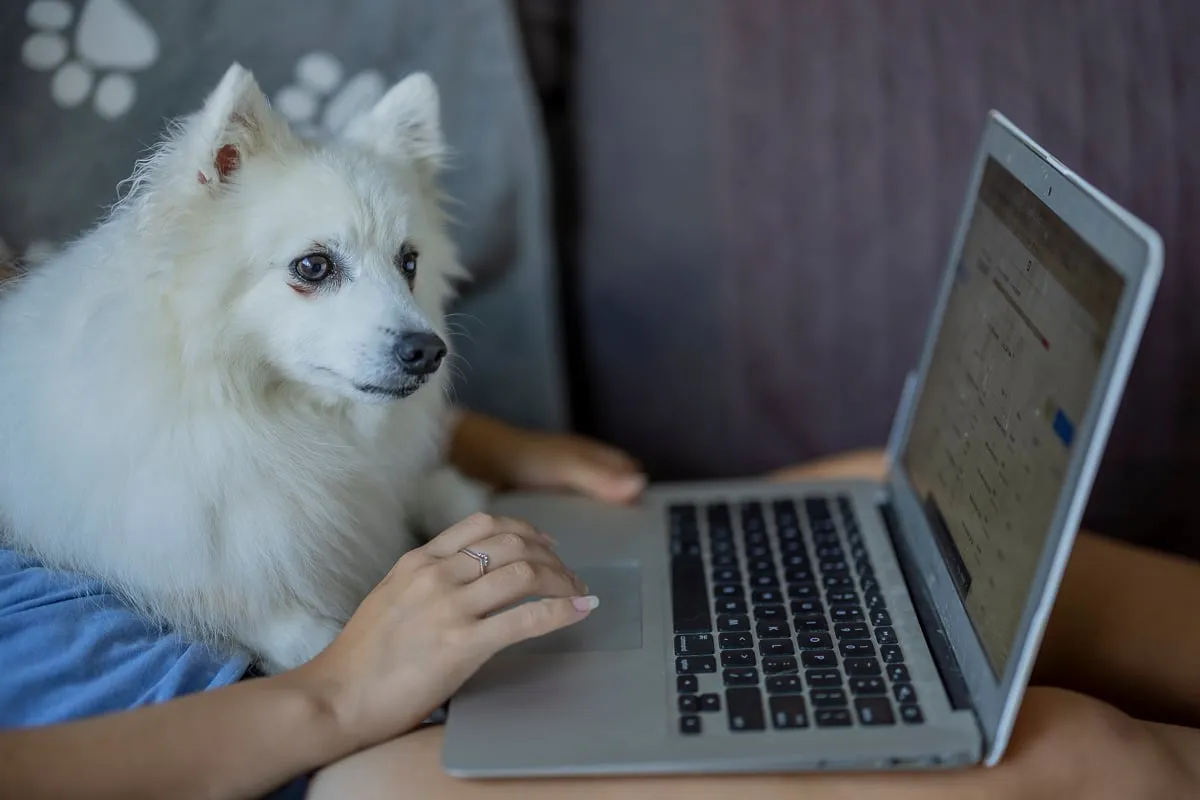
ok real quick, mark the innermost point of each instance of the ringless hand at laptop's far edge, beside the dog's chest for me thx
(512, 459)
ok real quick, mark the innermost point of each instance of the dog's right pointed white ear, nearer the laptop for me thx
(406, 124)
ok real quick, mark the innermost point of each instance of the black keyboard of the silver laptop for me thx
(787, 617)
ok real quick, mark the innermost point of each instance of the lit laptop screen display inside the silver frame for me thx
(1012, 374)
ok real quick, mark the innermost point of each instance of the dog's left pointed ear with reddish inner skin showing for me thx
(233, 125)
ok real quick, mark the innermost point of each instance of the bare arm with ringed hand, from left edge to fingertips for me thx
(416, 639)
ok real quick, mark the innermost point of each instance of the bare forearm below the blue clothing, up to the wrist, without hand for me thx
(239, 742)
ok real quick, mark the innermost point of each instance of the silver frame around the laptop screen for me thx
(1135, 250)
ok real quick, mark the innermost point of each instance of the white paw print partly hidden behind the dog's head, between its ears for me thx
(322, 101)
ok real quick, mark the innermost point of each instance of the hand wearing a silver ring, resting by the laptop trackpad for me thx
(427, 628)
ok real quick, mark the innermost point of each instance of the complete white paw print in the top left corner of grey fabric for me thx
(111, 40)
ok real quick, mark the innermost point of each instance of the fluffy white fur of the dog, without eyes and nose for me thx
(182, 423)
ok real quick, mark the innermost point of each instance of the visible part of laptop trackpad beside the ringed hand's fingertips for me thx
(615, 625)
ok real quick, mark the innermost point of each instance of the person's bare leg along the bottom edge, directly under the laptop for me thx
(1065, 747)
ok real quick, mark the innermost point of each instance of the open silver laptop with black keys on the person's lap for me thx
(853, 625)
